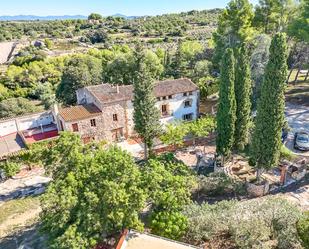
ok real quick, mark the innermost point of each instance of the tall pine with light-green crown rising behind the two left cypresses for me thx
(234, 27)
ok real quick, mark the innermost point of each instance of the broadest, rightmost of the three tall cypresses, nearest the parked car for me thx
(266, 142)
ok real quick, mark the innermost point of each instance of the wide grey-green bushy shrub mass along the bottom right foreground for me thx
(269, 222)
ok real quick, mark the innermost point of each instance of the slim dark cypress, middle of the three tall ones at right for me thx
(243, 91)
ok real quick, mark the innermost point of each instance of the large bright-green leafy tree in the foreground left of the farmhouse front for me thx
(98, 193)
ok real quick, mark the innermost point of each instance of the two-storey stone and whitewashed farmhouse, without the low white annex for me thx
(105, 112)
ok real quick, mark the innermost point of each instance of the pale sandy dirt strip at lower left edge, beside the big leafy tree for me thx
(18, 221)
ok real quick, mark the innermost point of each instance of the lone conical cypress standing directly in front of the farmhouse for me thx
(146, 115)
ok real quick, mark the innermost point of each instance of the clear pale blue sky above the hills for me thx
(105, 7)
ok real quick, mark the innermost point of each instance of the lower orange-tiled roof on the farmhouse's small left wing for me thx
(79, 112)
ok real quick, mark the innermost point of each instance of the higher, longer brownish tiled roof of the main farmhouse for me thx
(107, 93)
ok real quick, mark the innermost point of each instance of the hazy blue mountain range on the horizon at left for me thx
(46, 18)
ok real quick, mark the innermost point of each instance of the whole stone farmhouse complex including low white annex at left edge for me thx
(104, 112)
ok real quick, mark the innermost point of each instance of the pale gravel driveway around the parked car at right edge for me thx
(298, 119)
